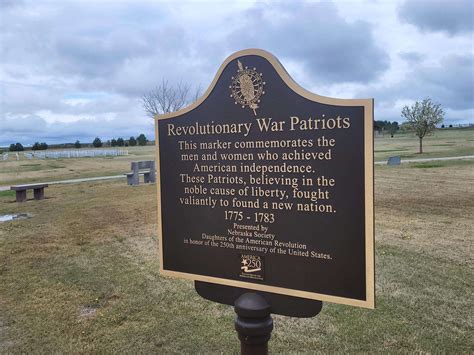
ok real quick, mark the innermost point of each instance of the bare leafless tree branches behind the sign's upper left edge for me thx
(166, 98)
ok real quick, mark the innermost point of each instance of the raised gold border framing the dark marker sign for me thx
(368, 105)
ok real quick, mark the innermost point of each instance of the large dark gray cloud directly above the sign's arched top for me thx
(329, 48)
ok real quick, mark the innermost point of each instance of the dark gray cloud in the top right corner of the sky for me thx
(451, 16)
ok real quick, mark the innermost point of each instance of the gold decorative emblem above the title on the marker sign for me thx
(247, 87)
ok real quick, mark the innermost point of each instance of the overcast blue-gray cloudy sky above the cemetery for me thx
(77, 69)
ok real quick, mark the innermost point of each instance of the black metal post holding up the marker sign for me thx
(253, 324)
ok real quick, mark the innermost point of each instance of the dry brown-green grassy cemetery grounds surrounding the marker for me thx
(82, 274)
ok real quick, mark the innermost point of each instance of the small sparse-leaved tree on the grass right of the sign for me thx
(423, 117)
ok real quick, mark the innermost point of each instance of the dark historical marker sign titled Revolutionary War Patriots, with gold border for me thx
(266, 186)
